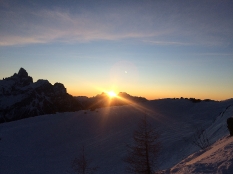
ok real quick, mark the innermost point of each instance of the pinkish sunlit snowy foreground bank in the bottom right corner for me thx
(218, 158)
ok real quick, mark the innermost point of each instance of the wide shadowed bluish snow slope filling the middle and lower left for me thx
(49, 143)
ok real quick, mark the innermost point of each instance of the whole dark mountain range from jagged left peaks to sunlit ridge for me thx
(20, 98)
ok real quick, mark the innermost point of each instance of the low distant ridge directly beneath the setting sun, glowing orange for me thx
(103, 100)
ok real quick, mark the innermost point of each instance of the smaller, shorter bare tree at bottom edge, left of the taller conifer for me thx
(82, 165)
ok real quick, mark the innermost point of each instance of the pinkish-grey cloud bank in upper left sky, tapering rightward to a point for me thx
(49, 26)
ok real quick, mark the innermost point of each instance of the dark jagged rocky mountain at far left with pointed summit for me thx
(21, 98)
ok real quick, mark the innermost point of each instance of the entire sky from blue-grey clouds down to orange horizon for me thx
(149, 48)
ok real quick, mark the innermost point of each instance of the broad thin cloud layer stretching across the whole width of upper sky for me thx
(170, 26)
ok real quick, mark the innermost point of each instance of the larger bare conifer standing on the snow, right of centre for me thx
(142, 155)
